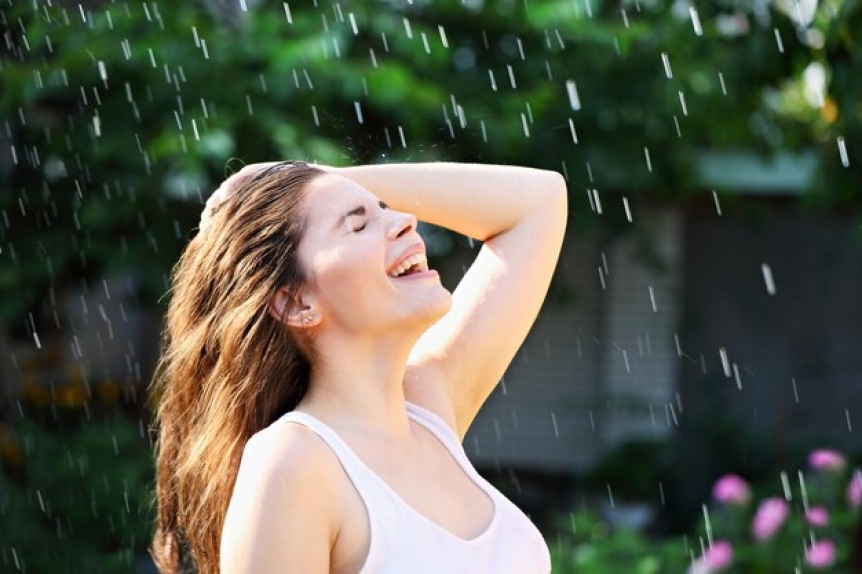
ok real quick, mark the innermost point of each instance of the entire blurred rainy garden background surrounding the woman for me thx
(688, 397)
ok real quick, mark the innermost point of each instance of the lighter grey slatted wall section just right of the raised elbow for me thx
(599, 367)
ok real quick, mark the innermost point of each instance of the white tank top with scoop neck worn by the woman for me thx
(403, 540)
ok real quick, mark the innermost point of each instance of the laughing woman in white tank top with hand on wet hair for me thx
(317, 379)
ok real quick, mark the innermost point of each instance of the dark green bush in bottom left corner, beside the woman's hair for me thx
(74, 493)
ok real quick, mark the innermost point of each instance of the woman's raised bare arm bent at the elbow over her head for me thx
(520, 215)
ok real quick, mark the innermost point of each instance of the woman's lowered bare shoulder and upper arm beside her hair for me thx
(283, 503)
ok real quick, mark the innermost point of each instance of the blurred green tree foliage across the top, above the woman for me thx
(117, 118)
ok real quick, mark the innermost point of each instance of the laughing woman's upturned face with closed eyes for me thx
(360, 253)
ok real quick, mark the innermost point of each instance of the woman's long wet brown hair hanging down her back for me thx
(227, 368)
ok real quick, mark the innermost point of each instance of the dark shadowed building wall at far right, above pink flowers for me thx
(792, 377)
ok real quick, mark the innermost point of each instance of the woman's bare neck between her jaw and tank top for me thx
(358, 383)
